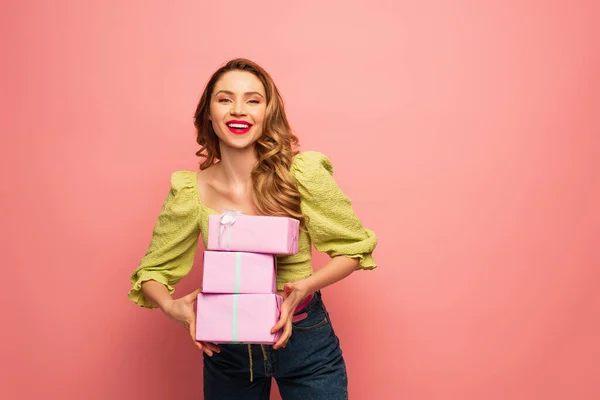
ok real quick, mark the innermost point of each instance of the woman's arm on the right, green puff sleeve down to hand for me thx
(333, 228)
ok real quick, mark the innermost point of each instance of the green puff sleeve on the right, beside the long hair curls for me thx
(332, 224)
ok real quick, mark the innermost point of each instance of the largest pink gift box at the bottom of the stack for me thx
(237, 318)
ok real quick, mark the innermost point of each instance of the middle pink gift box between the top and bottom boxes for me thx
(238, 272)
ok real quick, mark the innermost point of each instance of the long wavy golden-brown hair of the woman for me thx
(274, 189)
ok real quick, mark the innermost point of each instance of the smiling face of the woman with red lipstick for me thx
(237, 109)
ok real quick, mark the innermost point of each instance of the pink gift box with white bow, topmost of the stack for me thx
(233, 231)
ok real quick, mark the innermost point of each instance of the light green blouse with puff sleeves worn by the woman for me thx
(332, 227)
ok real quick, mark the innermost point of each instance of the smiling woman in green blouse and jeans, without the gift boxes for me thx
(250, 165)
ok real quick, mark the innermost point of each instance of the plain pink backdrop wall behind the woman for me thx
(466, 134)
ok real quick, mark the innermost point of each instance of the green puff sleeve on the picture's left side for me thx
(170, 254)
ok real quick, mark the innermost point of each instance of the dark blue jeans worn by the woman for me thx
(311, 365)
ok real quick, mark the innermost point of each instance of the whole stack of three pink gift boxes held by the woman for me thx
(238, 303)
